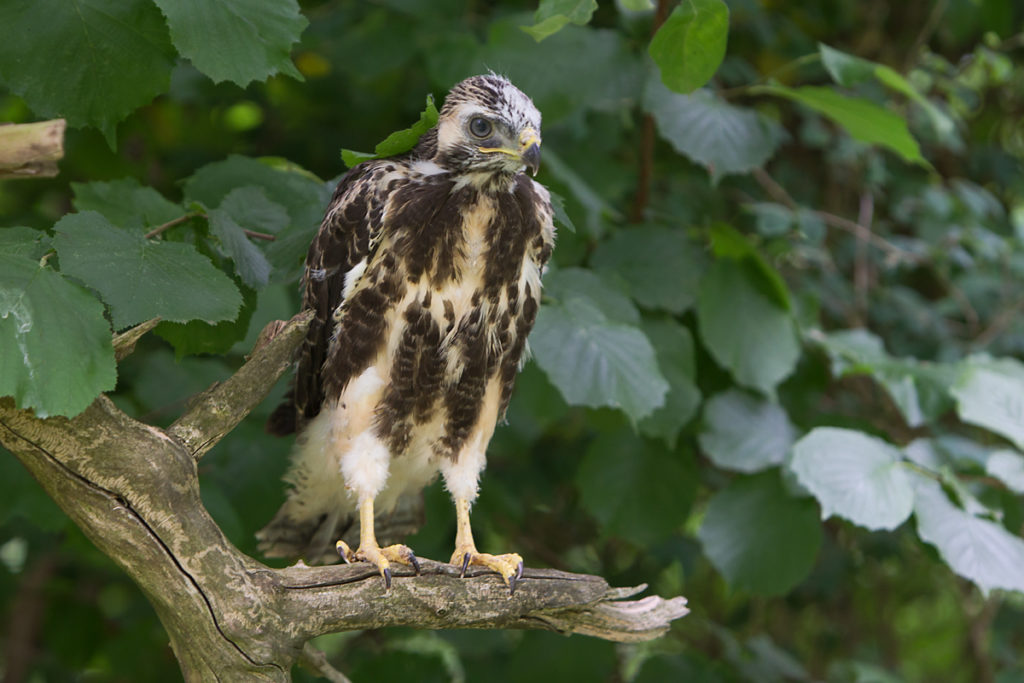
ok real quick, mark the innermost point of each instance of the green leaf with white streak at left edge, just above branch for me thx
(56, 352)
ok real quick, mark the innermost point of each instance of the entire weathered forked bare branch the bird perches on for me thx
(134, 490)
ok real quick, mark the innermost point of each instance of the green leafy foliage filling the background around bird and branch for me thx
(796, 289)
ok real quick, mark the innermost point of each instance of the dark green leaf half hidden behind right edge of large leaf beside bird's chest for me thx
(674, 349)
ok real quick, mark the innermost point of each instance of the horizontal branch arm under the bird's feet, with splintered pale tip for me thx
(439, 600)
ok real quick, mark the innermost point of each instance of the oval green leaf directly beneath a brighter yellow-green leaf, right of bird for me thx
(744, 330)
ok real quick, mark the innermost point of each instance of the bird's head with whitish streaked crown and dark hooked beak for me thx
(488, 126)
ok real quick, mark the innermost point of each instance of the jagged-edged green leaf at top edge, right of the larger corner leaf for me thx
(237, 40)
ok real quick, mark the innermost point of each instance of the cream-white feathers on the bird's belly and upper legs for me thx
(340, 458)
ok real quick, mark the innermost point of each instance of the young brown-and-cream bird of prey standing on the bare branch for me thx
(425, 279)
